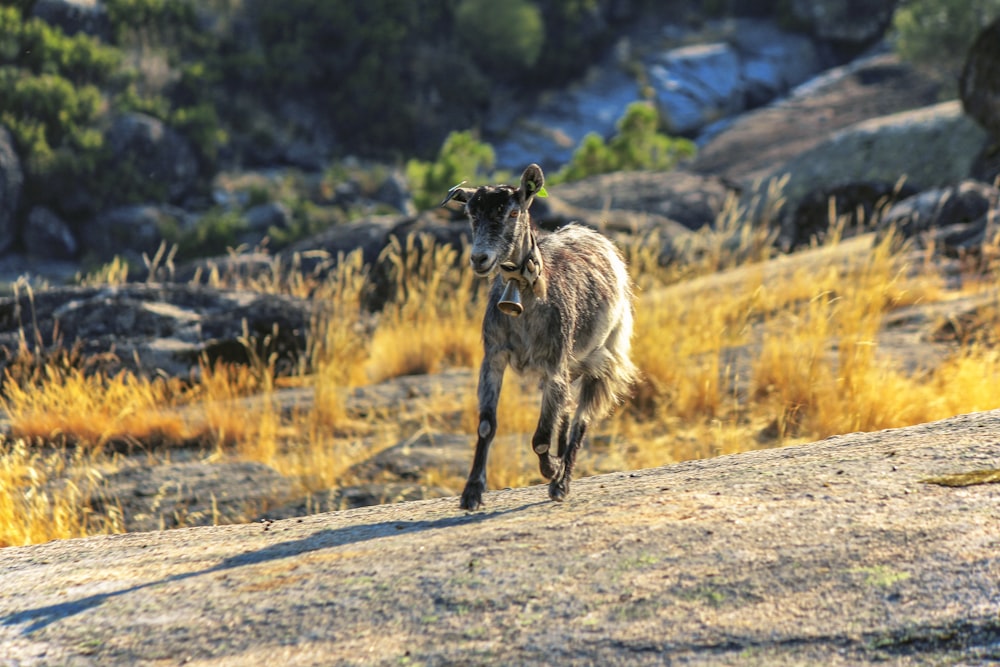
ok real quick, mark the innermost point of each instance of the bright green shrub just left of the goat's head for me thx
(462, 157)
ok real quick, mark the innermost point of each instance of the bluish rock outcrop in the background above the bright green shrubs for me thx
(693, 87)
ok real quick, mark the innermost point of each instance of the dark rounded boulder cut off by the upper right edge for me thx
(979, 85)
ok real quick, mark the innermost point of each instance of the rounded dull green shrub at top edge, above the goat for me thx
(503, 37)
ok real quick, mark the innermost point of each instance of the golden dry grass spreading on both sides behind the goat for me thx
(736, 353)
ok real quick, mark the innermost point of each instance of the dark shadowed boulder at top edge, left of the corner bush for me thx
(852, 26)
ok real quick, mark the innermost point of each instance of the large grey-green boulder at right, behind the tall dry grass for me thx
(930, 147)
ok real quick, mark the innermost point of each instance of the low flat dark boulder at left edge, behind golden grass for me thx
(157, 328)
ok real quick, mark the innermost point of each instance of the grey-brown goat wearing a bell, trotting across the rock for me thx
(574, 327)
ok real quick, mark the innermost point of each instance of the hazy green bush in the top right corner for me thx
(938, 33)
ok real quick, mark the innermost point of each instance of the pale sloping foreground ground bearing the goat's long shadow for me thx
(839, 552)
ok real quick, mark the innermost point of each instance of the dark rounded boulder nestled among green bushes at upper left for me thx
(155, 153)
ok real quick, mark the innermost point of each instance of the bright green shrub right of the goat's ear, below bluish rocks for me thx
(637, 145)
